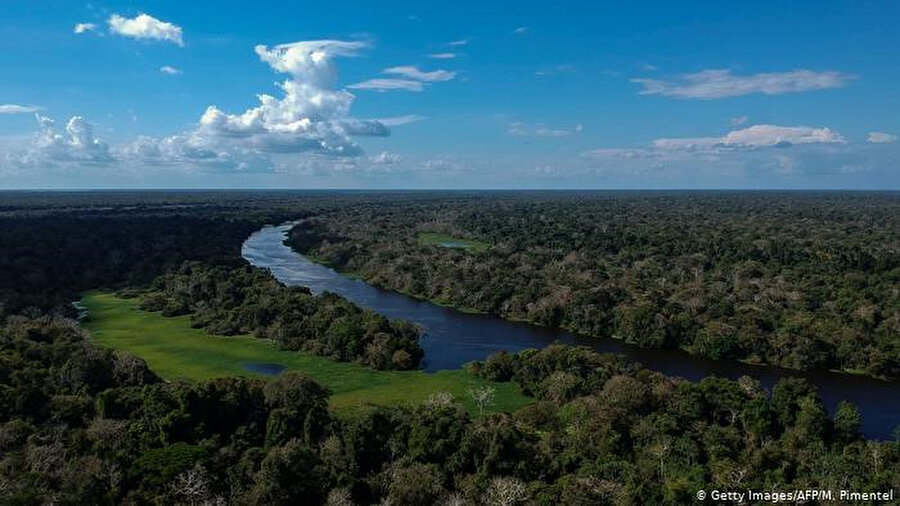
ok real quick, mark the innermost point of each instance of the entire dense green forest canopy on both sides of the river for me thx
(81, 424)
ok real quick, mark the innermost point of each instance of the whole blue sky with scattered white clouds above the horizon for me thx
(450, 95)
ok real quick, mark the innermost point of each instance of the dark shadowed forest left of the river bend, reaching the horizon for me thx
(54, 245)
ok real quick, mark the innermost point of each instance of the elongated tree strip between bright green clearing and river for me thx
(248, 300)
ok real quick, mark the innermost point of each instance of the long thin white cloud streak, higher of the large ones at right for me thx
(713, 84)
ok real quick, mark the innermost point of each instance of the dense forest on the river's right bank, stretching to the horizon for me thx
(801, 280)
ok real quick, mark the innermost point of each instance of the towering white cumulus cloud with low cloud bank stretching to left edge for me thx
(311, 118)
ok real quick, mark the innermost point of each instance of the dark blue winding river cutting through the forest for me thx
(453, 338)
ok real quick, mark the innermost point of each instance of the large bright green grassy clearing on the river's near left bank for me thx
(176, 351)
